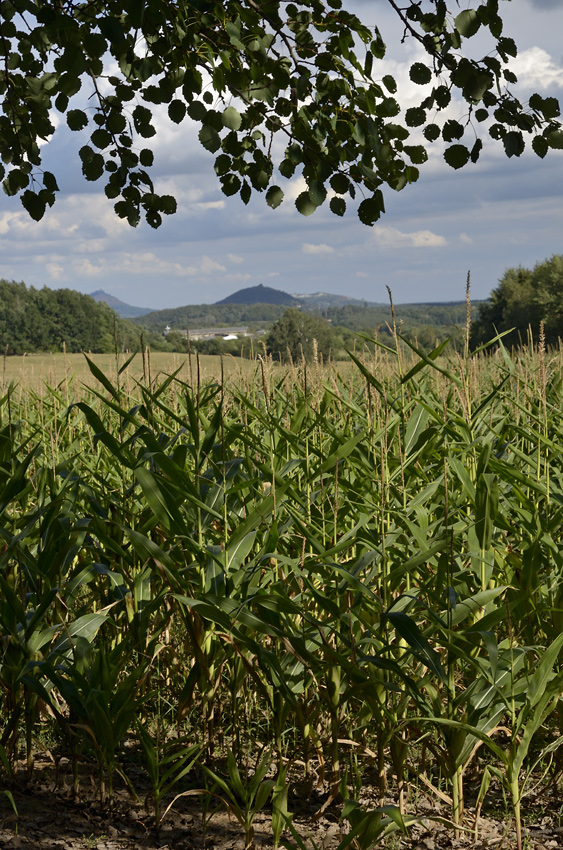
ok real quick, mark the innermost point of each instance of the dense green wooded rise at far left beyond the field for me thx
(46, 319)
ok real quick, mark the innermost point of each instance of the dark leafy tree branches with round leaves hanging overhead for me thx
(250, 73)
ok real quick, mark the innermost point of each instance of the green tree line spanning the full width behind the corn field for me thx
(34, 320)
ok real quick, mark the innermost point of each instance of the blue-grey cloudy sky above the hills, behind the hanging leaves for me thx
(484, 218)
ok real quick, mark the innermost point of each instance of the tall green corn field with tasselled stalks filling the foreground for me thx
(291, 576)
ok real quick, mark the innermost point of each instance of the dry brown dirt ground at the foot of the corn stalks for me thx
(50, 818)
